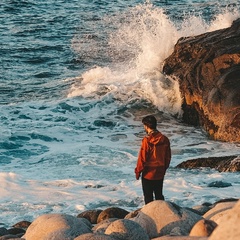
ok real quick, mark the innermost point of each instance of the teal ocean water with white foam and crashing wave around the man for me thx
(76, 79)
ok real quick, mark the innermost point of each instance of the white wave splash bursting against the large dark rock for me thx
(139, 41)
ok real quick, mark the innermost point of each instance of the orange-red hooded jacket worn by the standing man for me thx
(154, 156)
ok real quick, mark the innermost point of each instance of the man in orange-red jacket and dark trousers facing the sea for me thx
(153, 160)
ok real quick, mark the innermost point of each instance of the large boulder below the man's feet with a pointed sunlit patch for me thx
(161, 218)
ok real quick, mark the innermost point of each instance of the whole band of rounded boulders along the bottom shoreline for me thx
(158, 220)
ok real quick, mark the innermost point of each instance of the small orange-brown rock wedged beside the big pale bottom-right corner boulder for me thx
(203, 228)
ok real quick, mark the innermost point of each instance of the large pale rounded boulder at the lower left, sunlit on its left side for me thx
(57, 227)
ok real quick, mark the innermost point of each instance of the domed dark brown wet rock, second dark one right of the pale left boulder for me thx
(112, 212)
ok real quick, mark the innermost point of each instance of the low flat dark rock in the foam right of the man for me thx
(222, 164)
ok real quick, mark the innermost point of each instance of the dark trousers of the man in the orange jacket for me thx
(151, 187)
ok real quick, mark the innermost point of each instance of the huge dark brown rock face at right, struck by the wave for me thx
(208, 69)
